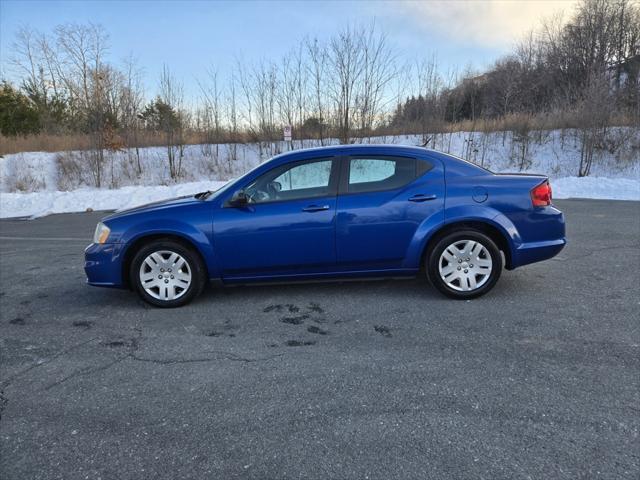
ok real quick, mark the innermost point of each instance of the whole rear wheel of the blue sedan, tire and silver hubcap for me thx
(451, 269)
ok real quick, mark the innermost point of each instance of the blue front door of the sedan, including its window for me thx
(288, 226)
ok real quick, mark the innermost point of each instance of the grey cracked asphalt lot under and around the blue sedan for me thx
(386, 379)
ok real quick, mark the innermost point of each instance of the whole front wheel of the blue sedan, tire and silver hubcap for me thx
(167, 274)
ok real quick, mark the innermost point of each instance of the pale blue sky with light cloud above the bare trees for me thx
(189, 36)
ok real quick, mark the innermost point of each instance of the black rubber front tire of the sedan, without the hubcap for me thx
(198, 276)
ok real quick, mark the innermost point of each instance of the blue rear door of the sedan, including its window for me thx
(382, 201)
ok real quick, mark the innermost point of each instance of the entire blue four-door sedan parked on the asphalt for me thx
(334, 212)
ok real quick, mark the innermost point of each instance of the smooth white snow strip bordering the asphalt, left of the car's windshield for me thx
(38, 204)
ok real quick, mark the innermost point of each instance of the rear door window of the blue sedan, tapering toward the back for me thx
(371, 174)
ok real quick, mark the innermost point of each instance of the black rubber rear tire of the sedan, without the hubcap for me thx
(434, 257)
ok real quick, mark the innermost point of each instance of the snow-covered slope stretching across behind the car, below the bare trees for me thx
(35, 184)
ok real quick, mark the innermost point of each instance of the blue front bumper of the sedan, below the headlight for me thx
(103, 265)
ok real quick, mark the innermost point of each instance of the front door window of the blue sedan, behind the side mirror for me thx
(291, 182)
